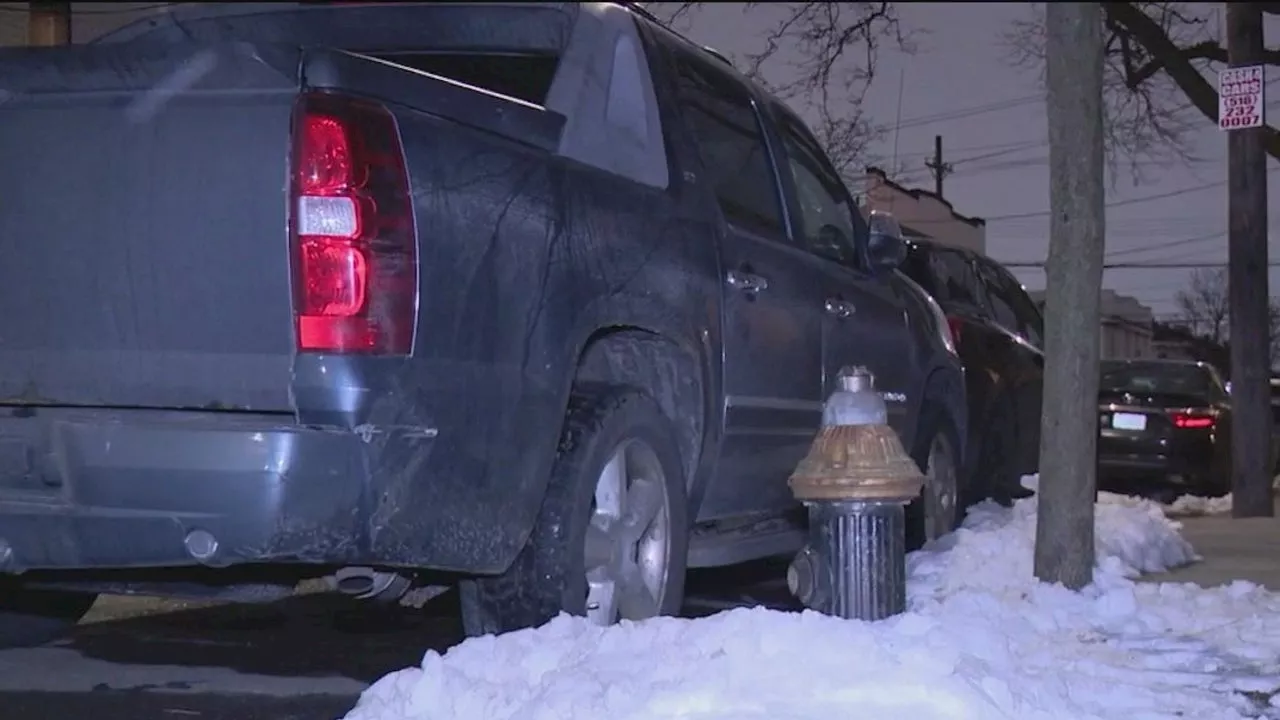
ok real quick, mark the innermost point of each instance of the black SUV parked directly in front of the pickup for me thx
(999, 334)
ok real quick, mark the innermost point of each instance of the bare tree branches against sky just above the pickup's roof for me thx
(820, 58)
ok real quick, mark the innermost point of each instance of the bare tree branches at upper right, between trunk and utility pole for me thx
(1160, 63)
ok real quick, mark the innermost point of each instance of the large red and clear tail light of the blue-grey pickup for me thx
(355, 250)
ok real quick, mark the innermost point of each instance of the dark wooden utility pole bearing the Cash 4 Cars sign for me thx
(1247, 282)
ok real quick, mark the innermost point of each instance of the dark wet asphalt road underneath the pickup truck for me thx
(303, 659)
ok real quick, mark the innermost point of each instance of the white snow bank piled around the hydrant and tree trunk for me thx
(982, 640)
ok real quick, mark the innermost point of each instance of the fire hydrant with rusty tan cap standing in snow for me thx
(857, 482)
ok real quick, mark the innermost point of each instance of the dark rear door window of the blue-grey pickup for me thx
(721, 116)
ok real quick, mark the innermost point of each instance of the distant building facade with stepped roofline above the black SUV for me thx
(922, 213)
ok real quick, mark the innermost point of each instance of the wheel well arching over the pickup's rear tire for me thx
(656, 364)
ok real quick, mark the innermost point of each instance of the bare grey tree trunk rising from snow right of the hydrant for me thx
(1077, 198)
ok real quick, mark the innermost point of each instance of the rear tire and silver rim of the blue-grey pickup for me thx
(614, 525)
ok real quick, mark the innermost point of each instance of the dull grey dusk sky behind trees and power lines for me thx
(963, 85)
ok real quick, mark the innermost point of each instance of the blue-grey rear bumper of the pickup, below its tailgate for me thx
(175, 490)
